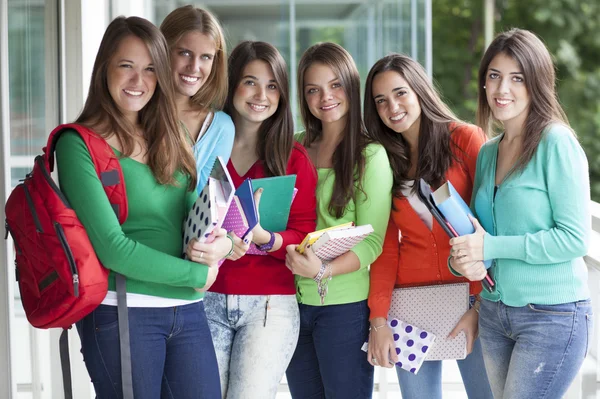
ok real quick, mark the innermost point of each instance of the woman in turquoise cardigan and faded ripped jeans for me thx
(531, 197)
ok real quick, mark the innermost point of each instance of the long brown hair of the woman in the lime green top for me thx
(348, 158)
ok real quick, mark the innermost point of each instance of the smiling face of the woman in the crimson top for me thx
(256, 97)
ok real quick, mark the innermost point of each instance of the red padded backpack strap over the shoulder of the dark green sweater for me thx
(106, 163)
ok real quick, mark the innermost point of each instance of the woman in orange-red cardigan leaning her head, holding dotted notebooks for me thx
(425, 140)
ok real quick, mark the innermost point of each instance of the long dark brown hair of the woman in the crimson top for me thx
(276, 134)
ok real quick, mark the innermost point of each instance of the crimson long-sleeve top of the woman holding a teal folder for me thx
(267, 274)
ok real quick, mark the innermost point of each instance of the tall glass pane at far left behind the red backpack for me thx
(33, 110)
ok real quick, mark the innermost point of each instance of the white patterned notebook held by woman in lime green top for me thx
(334, 243)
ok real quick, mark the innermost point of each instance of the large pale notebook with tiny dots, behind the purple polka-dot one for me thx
(434, 308)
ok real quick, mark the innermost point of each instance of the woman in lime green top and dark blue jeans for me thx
(354, 185)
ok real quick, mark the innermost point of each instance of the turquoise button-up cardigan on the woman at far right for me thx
(538, 223)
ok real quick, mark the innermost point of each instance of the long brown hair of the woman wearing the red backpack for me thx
(168, 152)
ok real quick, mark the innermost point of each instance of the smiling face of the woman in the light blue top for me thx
(192, 58)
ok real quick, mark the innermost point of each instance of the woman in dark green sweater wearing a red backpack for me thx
(130, 105)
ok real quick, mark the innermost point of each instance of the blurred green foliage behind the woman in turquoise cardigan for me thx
(570, 29)
